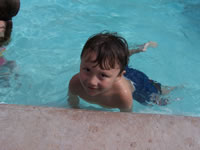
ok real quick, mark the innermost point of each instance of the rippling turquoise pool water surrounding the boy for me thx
(48, 37)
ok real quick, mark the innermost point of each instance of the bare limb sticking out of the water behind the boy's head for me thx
(142, 48)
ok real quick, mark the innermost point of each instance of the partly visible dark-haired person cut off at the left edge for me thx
(8, 9)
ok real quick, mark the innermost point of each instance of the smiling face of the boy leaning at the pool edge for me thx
(95, 80)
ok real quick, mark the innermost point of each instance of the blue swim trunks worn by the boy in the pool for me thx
(145, 88)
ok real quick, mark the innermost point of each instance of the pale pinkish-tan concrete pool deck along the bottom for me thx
(46, 128)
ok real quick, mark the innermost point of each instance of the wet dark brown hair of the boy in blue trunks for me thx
(109, 48)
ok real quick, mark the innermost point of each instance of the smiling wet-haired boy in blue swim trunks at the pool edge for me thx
(105, 78)
